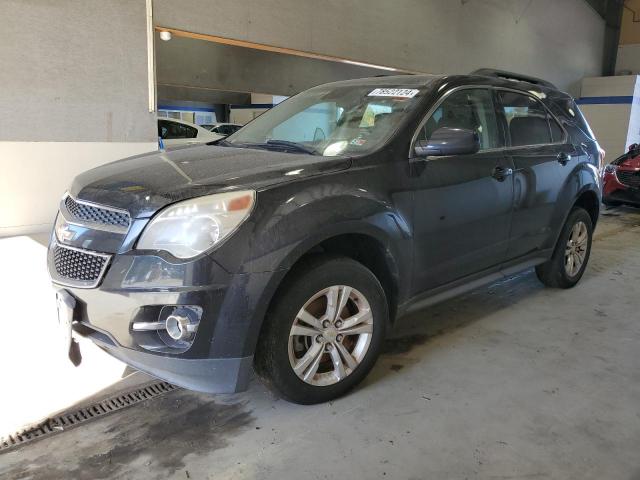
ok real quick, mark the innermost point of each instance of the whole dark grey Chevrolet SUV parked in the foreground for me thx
(293, 245)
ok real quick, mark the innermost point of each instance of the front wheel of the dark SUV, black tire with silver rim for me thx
(310, 285)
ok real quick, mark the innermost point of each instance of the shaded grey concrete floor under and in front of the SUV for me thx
(511, 381)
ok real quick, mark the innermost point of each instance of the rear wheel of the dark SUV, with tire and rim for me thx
(558, 272)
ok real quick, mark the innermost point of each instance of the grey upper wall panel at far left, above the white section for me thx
(74, 71)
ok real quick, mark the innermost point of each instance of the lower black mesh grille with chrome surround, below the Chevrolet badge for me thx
(77, 265)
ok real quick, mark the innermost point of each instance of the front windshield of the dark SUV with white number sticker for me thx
(331, 120)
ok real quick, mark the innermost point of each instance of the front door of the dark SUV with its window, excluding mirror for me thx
(463, 203)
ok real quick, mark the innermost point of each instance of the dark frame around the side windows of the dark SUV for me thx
(501, 119)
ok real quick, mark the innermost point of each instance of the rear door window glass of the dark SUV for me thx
(528, 122)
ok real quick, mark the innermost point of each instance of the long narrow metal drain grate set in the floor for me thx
(68, 420)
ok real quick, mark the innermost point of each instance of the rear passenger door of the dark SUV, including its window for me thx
(542, 155)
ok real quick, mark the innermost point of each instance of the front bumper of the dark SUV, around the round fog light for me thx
(220, 358)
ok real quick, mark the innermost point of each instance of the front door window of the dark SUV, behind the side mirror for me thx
(471, 109)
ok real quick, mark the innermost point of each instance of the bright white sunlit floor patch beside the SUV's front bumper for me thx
(38, 363)
